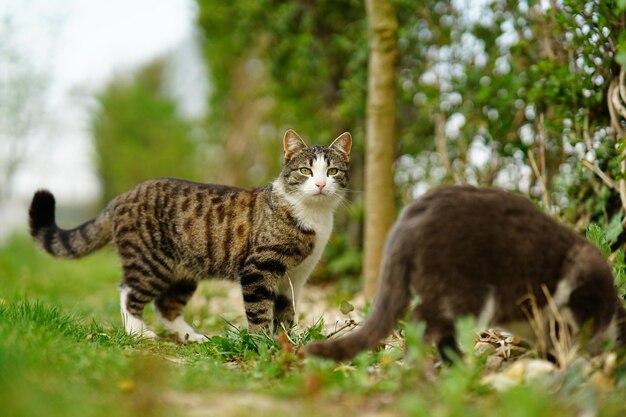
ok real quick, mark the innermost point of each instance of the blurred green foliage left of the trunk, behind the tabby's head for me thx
(305, 66)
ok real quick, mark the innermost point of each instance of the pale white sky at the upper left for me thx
(79, 45)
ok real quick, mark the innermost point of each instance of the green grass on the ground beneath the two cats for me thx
(63, 353)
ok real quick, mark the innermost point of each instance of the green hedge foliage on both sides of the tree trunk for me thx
(498, 93)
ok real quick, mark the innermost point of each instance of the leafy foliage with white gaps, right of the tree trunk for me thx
(493, 87)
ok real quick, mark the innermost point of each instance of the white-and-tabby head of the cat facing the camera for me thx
(316, 174)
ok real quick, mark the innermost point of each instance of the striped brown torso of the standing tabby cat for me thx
(202, 228)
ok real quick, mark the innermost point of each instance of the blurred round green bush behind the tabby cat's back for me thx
(139, 134)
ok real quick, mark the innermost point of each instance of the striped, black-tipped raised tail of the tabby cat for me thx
(73, 243)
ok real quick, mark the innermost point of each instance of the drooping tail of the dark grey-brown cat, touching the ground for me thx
(391, 302)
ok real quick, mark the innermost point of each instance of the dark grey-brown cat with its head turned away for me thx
(485, 253)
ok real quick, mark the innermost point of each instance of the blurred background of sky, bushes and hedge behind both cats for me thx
(98, 96)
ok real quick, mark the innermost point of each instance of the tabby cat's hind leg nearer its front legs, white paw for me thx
(169, 306)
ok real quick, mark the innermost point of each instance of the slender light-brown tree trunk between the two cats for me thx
(380, 137)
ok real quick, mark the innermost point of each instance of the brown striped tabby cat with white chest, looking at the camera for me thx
(172, 233)
